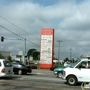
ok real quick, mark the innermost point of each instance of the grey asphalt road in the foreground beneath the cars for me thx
(37, 80)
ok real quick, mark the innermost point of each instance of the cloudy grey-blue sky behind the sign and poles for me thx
(25, 19)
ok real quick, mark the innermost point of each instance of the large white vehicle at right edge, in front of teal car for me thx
(77, 72)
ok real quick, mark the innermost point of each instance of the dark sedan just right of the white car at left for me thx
(20, 68)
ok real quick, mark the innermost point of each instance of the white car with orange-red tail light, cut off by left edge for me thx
(6, 68)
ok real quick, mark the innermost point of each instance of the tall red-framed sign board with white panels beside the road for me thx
(47, 48)
